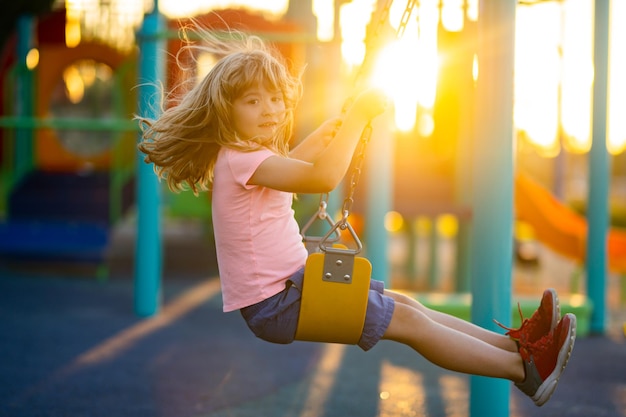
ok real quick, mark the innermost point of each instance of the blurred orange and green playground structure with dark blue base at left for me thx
(63, 195)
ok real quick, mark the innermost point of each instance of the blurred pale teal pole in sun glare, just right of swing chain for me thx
(379, 199)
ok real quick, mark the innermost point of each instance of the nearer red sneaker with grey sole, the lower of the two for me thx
(545, 360)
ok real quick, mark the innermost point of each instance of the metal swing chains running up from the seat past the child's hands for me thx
(371, 37)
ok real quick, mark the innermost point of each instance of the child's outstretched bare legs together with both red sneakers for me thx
(454, 344)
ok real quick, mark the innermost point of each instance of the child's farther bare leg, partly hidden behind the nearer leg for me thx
(495, 339)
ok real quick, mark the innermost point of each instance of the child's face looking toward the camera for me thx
(258, 112)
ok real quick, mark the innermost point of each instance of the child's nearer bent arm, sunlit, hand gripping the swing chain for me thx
(325, 172)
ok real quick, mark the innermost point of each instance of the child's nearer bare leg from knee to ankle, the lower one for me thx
(450, 348)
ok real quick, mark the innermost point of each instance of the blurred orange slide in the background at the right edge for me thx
(561, 228)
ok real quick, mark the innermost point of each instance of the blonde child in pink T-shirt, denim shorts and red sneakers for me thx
(231, 132)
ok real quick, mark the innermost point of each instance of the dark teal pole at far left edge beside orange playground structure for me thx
(24, 98)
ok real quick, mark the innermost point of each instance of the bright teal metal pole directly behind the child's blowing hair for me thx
(148, 255)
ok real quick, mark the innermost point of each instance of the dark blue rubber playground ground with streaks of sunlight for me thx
(74, 347)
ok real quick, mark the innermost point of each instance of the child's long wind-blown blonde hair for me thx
(183, 142)
